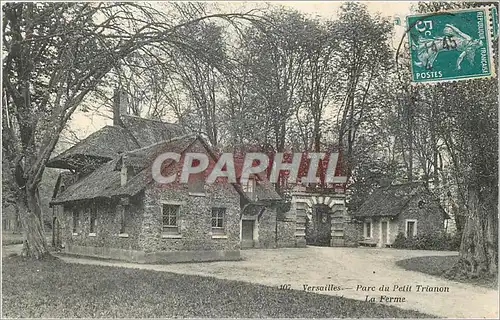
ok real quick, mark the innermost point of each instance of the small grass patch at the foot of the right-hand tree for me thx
(438, 265)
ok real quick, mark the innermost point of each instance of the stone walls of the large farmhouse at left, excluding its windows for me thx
(144, 240)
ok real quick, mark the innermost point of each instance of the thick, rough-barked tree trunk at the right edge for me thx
(478, 250)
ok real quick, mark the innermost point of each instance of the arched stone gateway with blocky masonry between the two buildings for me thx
(321, 212)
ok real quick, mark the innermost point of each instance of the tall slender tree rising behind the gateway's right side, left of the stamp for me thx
(364, 56)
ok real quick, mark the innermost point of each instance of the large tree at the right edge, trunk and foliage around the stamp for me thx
(468, 127)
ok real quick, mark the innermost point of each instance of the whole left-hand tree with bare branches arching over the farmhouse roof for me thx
(56, 54)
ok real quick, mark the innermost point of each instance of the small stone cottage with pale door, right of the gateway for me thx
(408, 208)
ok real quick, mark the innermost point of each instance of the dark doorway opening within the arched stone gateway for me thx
(319, 226)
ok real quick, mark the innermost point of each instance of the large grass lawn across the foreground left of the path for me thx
(55, 289)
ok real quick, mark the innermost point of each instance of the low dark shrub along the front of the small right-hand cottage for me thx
(428, 241)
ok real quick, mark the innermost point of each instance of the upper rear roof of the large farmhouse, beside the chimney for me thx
(106, 143)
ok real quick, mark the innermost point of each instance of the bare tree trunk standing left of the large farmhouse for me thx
(35, 244)
